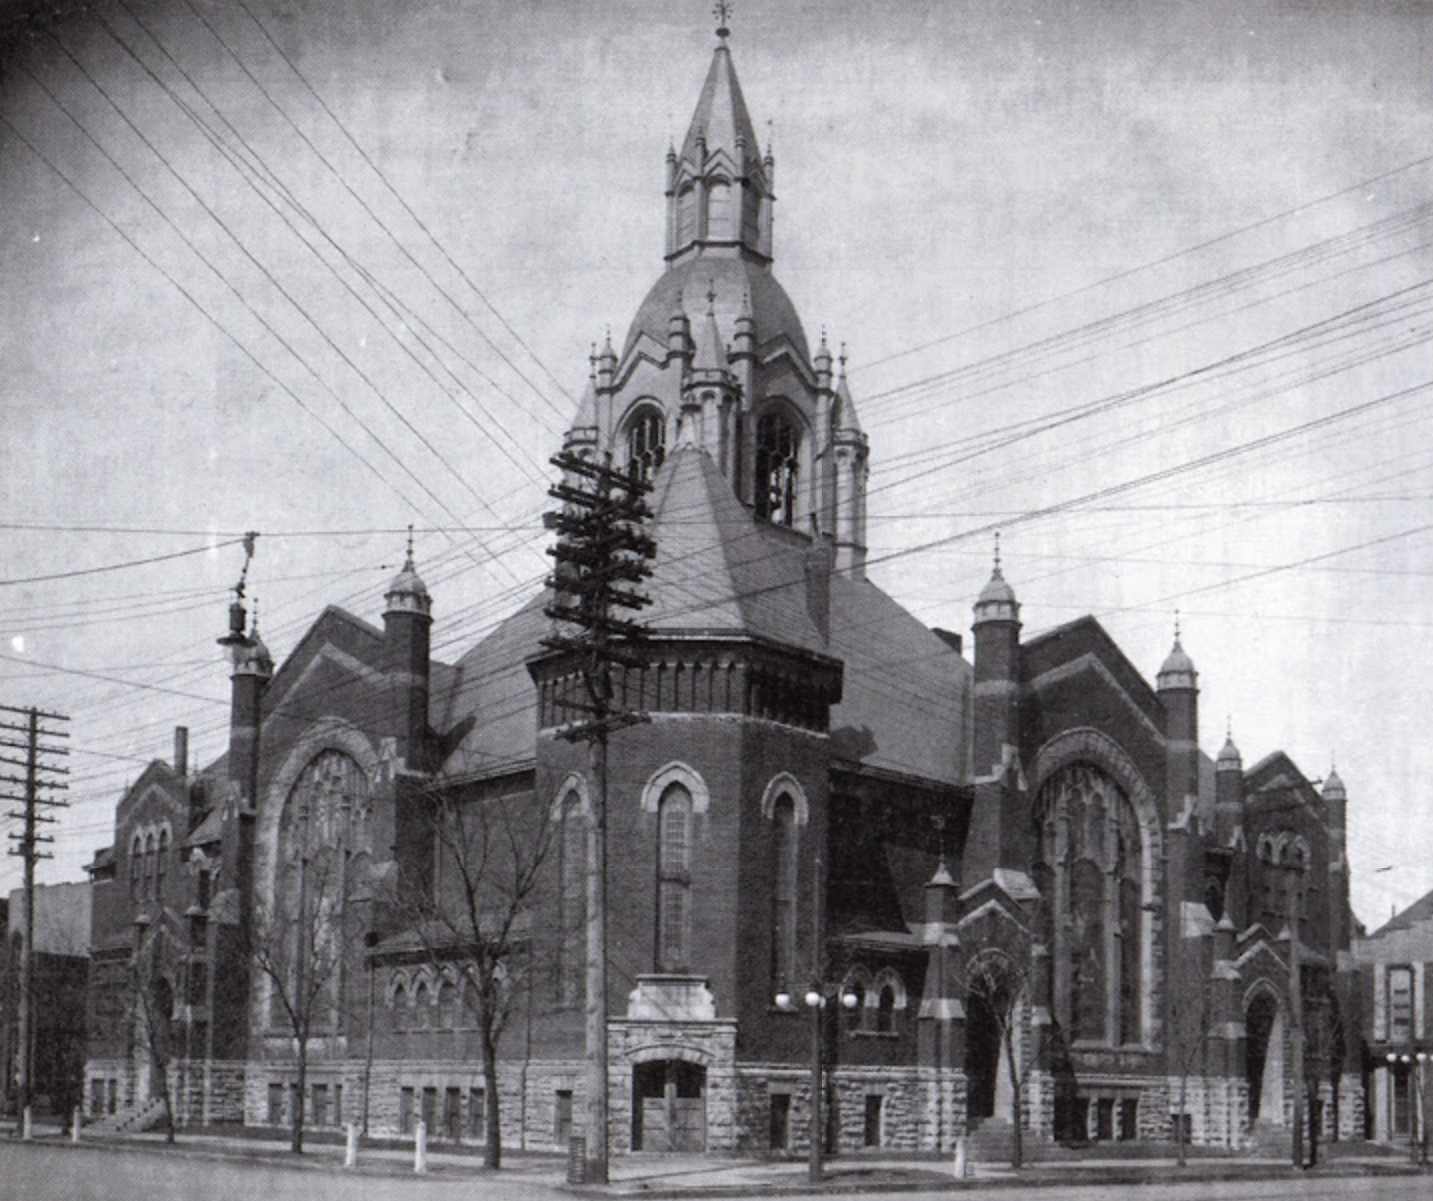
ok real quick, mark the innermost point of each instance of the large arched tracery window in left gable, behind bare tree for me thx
(325, 841)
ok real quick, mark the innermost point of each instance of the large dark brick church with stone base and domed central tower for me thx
(829, 799)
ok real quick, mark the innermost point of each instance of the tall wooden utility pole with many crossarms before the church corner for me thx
(603, 555)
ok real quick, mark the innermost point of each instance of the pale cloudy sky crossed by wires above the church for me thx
(1143, 286)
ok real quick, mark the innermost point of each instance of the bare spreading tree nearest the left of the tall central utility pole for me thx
(476, 915)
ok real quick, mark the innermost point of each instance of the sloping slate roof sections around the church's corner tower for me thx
(722, 573)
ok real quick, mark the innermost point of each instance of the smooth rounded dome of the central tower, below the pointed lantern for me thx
(736, 283)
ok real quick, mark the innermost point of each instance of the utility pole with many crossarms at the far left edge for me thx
(38, 782)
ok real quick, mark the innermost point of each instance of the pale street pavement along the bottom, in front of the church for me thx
(143, 1167)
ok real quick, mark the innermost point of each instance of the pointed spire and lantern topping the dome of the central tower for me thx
(719, 191)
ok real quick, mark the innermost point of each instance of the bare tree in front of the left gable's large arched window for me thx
(303, 939)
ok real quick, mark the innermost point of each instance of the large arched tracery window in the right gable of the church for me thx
(1093, 872)
